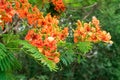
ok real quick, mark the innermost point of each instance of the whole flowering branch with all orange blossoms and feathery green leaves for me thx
(25, 28)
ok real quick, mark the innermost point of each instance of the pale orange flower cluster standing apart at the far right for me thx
(91, 32)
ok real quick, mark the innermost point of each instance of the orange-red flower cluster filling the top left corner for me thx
(20, 7)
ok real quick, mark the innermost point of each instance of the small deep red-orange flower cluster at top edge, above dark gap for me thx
(59, 5)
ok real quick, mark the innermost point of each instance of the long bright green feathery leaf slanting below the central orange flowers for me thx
(39, 57)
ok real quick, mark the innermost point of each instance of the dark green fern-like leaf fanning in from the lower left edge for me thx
(7, 59)
